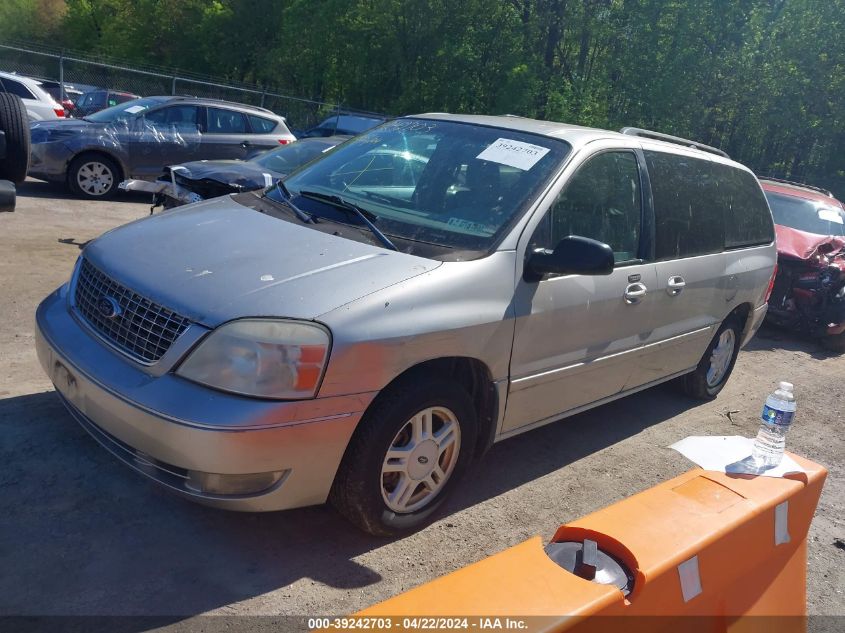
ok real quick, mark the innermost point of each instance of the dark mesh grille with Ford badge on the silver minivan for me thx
(142, 329)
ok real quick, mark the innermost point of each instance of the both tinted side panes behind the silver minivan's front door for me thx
(704, 207)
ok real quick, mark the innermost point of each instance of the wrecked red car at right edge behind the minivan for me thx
(809, 290)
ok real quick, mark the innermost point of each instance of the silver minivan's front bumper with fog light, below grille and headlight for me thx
(178, 433)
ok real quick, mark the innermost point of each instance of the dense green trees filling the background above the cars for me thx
(761, 78)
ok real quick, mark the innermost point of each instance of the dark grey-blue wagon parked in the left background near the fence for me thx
(137, 138)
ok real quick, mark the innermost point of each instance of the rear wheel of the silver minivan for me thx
(716, 365)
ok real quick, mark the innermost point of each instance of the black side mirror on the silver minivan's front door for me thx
(573, 255)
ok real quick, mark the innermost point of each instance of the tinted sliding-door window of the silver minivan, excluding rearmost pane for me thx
(689, 217)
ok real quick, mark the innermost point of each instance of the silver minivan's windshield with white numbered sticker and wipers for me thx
(451, 184)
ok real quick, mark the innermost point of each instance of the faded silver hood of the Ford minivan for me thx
(218, 260)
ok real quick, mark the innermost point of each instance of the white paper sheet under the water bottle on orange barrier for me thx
(730, 454)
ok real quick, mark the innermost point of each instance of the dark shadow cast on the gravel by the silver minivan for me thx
(93, 538)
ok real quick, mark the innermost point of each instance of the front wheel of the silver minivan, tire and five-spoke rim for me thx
(410, 450)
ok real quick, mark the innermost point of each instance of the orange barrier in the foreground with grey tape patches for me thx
(708, 547)
